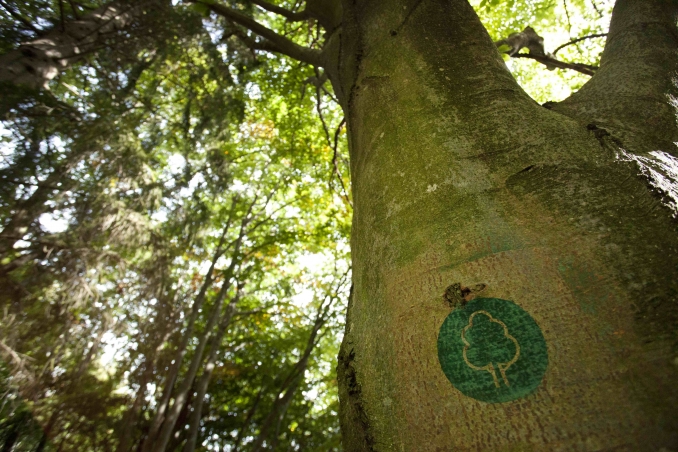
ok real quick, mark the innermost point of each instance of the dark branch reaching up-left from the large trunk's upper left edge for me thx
(274, 41)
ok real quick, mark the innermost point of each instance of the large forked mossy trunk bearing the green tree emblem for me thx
(471, 202)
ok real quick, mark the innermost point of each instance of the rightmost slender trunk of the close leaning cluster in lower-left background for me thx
(203, 384)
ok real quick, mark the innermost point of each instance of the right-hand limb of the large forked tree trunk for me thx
(633, 94)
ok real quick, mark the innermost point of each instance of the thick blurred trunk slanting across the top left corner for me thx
(37, 62)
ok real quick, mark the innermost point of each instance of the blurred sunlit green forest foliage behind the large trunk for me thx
(175, 215)
